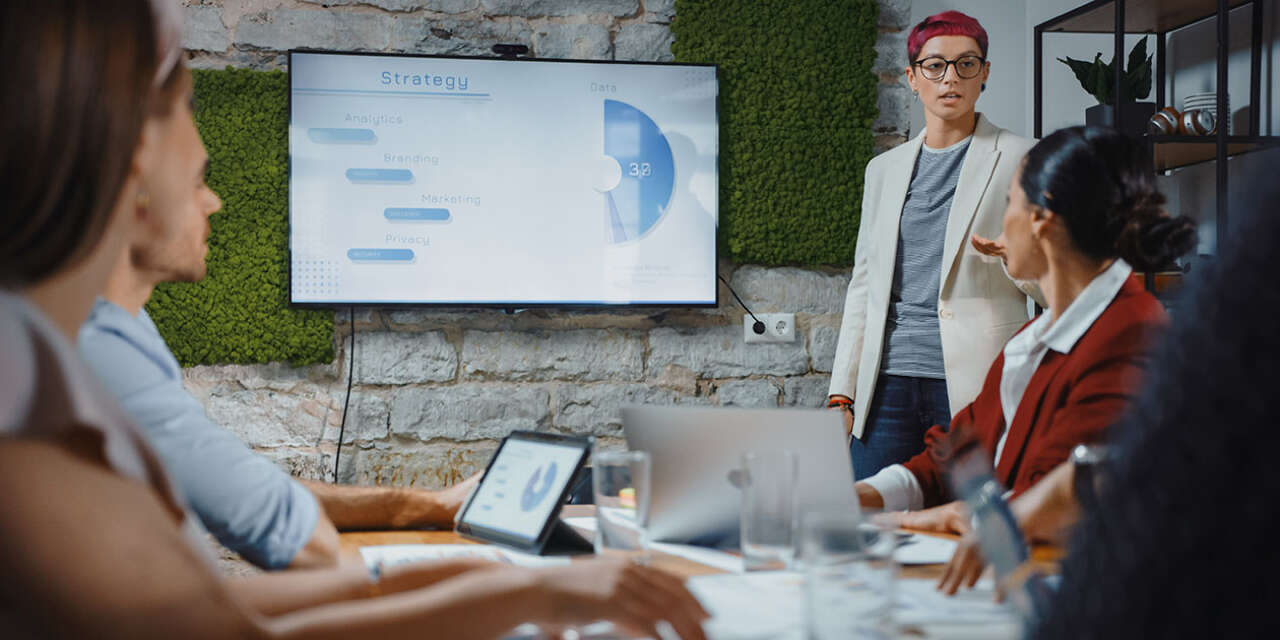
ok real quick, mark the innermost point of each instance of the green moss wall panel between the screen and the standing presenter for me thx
(797, 106)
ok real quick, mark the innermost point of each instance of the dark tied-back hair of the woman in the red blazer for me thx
(1099, 181)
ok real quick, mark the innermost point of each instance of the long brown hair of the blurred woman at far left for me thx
(80, 77)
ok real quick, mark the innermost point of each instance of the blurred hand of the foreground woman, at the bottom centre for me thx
(624, 593)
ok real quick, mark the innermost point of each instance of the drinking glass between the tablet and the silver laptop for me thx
(621, 484)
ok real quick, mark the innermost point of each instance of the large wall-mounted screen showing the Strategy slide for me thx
(501, 182)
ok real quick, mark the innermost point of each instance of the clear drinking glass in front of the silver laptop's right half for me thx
(769, 518)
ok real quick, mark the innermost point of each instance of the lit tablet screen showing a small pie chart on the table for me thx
(523, 487)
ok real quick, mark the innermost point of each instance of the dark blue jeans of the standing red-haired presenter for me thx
(902, 410)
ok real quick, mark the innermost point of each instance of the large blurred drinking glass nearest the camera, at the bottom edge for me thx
(849, 577)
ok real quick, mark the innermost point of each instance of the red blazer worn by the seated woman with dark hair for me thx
(1072, 399)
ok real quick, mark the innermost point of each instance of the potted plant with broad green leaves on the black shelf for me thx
(1099, 80)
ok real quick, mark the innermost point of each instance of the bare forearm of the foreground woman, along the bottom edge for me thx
(482, 605)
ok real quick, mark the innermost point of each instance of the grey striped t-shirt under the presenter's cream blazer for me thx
(913, 346)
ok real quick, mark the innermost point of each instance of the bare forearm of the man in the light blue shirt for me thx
(378, 508)
